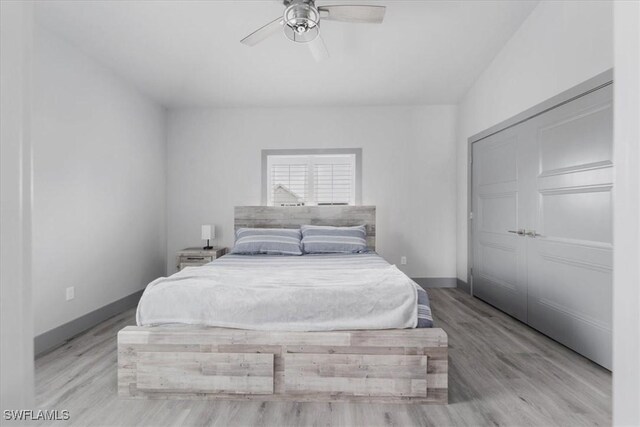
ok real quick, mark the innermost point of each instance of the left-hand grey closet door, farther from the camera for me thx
(499, 269)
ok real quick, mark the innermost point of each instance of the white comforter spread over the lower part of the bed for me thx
(284, 300)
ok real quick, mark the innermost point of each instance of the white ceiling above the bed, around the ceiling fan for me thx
(188, 54)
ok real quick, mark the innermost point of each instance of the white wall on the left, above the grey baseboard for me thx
(99, 185)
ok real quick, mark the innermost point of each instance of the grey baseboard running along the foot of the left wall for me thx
(59, 336)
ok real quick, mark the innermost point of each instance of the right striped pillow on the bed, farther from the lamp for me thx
(325, 239)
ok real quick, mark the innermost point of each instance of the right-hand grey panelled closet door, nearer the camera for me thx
(569, 241)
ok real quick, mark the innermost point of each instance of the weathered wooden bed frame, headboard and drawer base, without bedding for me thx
(195, 362)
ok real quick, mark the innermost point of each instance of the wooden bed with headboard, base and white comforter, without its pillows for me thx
(259, 347)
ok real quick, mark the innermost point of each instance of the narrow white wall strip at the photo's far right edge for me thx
(626, 277)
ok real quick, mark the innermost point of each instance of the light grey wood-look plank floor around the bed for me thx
(501, 372)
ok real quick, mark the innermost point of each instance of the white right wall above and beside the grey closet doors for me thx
(561, 44)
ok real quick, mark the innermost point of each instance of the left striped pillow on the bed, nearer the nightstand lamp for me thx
(273, 241)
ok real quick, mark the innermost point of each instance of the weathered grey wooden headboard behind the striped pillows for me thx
(295, 216)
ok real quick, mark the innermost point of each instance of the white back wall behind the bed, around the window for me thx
(408, 172)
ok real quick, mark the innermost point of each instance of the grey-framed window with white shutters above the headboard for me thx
(310, 177)
